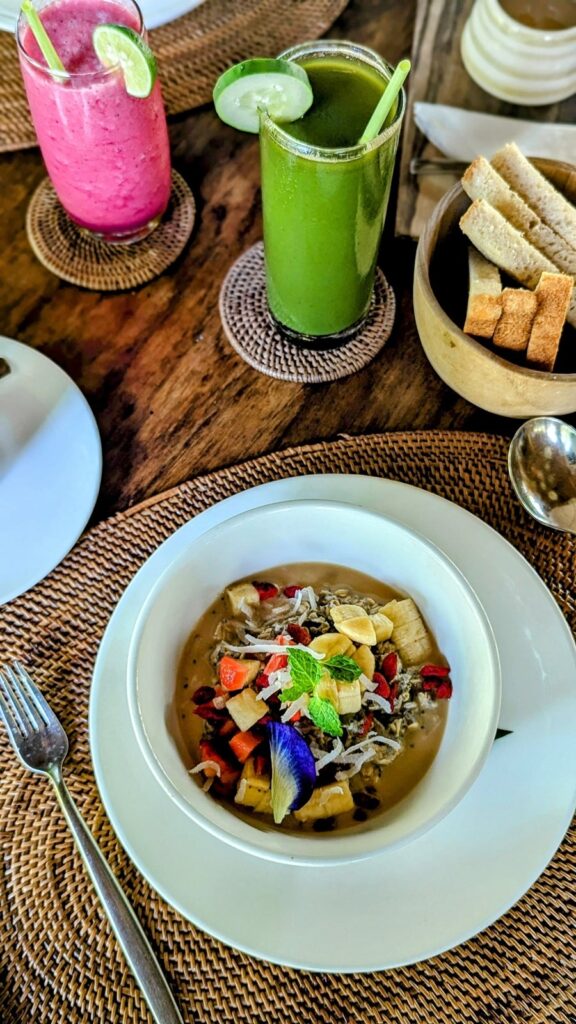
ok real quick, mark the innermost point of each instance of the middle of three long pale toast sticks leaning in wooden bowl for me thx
(481, 181)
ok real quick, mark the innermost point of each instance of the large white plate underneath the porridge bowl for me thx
(404, 906)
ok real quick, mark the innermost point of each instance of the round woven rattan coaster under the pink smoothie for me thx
(75, 257)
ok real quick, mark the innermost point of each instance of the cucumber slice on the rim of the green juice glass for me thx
(280, 88)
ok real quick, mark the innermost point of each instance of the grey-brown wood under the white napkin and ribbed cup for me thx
(440, 77)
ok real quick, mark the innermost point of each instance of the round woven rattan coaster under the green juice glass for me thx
(262, 345)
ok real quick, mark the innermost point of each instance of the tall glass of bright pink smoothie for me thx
(107, 153)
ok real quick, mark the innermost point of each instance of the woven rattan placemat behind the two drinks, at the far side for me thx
(192, 53)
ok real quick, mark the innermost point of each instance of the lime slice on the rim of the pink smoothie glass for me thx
(116, 46)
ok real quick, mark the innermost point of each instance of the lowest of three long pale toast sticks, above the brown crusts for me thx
(508, 248)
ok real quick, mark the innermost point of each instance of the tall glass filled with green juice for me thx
(325, 197)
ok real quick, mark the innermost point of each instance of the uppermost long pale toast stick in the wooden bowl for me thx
(541, 196)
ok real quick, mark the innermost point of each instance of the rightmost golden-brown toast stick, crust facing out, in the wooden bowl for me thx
(554, 294)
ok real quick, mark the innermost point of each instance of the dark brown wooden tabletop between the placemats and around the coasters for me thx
(172, 398)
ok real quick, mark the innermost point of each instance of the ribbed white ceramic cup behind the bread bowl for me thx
(530, 67)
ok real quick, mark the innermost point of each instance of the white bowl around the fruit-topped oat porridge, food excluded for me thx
(333, 533)
